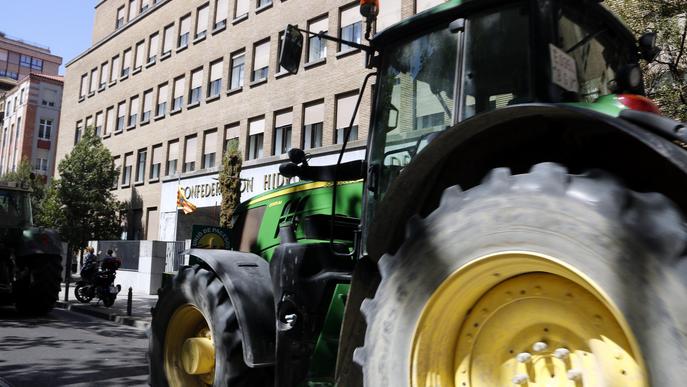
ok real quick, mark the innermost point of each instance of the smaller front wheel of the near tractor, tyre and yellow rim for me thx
(195, 339)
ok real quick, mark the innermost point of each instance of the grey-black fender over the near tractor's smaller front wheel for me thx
(246, 277)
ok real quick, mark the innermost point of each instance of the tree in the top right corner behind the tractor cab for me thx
(666, 78)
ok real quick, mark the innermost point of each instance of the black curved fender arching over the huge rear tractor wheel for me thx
(639, 152)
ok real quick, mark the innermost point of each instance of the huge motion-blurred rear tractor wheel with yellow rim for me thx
(539, 279)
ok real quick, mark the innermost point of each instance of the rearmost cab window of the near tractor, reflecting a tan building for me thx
(597, 52)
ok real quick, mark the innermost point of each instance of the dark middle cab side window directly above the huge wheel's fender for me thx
(497, 60)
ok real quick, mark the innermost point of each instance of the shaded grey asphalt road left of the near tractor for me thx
(70, 349)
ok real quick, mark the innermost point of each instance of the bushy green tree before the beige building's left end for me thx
(81, 204)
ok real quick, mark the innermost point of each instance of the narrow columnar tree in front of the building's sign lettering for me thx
(230, 183)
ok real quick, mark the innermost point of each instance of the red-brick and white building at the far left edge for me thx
(30, 124)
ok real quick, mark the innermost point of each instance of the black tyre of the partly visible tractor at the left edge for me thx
(38, 289)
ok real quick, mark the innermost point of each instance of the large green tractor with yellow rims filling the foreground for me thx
(522, 223)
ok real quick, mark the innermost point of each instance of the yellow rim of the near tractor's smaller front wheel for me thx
(189, 353)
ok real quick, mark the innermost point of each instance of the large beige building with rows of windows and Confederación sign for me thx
(168, 83)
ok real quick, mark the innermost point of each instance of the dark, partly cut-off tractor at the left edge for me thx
(30, 257)
